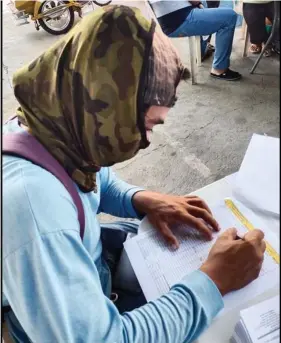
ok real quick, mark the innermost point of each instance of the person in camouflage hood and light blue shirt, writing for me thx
(92, 100)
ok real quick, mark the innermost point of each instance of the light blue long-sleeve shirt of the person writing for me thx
(57, 285)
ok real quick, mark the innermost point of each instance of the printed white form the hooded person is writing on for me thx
(158, 267)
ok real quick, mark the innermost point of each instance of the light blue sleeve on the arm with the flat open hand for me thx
(116, 195)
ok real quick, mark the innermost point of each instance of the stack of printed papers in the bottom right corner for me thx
(259, 323)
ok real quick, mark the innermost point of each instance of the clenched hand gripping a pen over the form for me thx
(232, 264)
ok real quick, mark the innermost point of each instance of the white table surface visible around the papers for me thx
(222, 328)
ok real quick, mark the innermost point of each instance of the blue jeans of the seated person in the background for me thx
(204, 22)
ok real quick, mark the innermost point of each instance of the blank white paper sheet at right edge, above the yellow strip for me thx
(257, 183)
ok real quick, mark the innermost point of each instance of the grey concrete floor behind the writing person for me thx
(206, 134)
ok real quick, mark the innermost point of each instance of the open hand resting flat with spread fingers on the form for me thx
(164, 211)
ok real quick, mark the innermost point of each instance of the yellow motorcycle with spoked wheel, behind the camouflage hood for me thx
(54, 16)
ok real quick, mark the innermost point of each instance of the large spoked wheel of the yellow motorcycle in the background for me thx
(56, 24)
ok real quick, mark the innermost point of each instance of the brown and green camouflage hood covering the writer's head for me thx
(82, 98)
